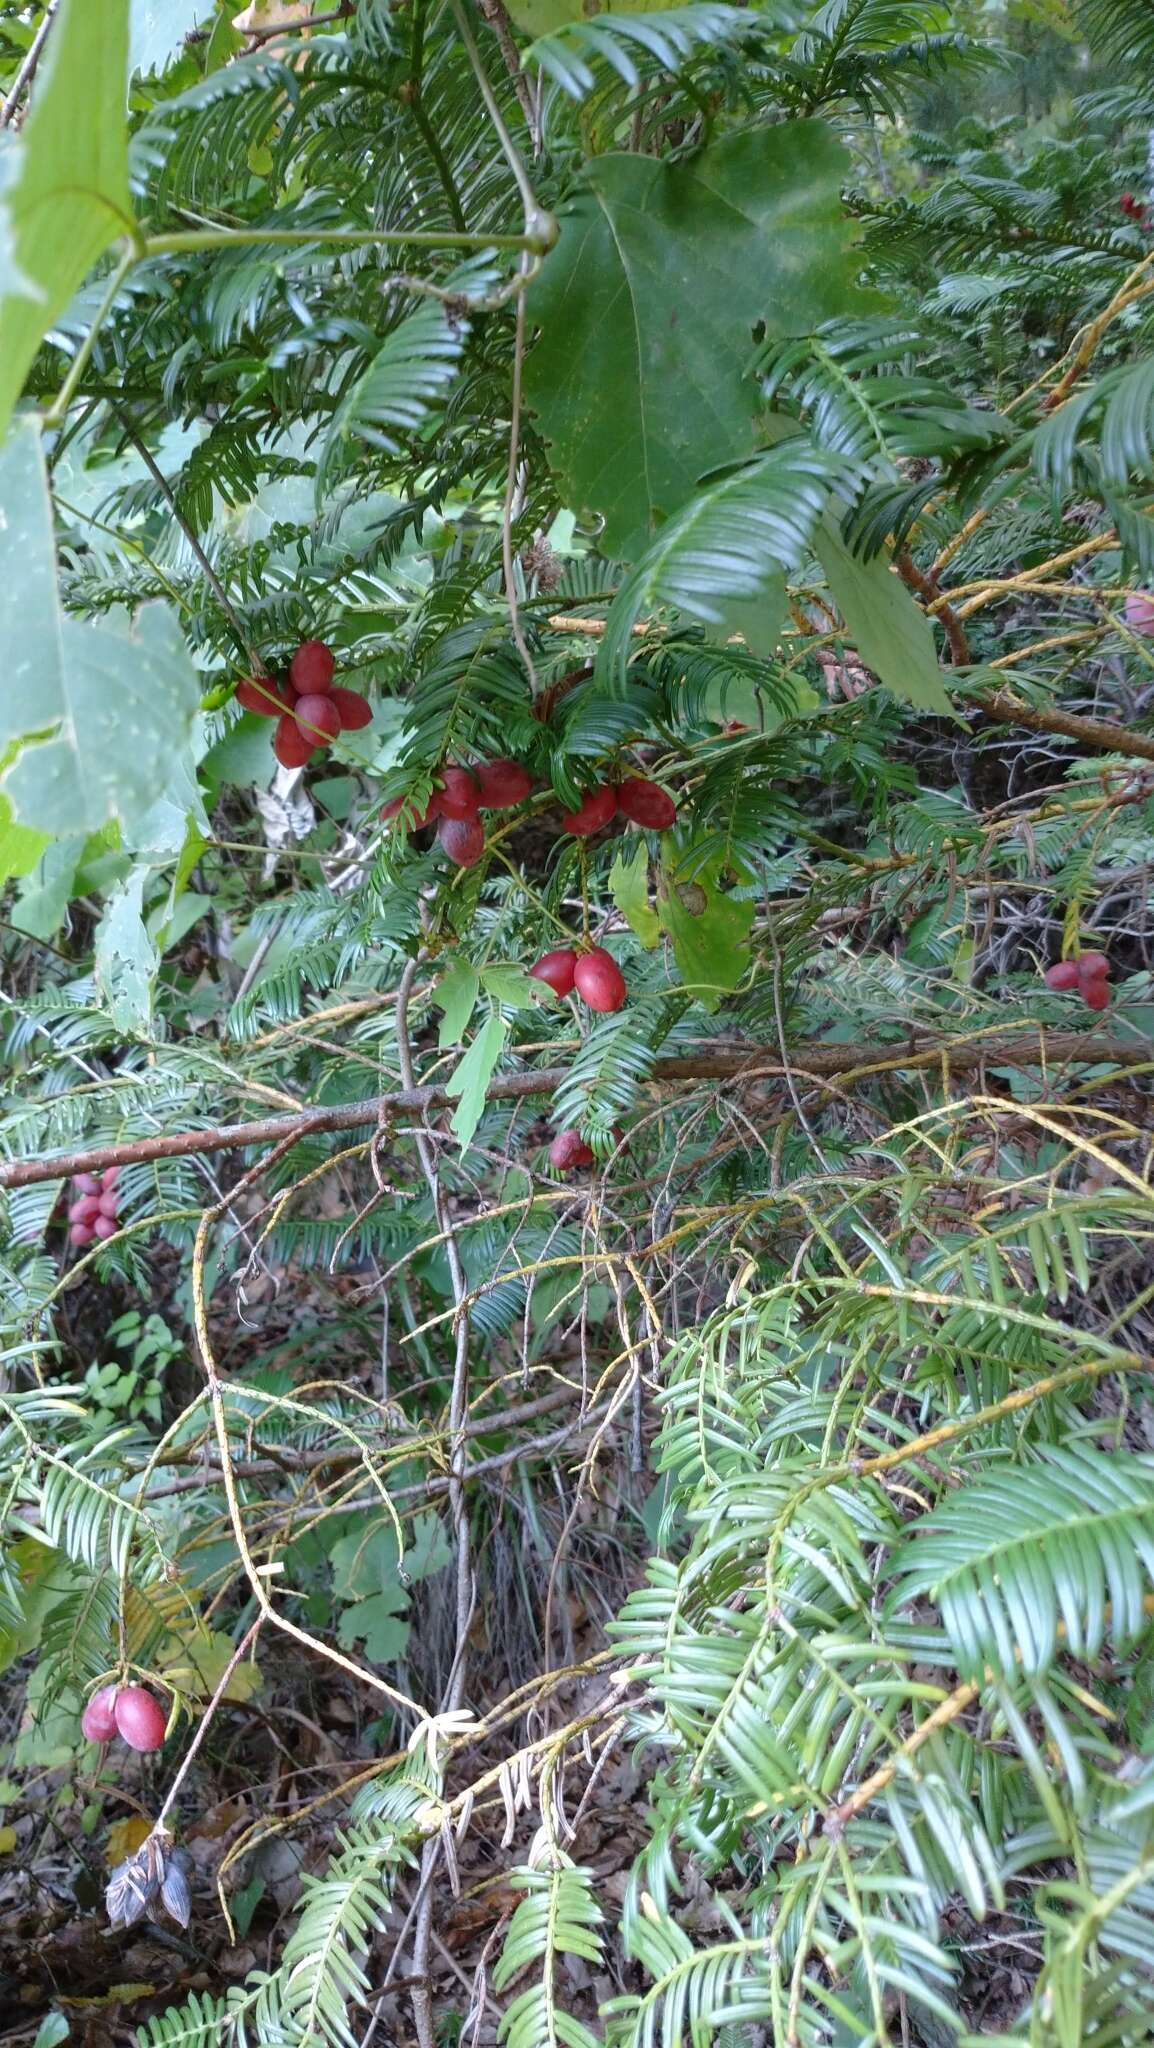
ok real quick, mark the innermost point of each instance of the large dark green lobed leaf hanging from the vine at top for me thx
(649, 310)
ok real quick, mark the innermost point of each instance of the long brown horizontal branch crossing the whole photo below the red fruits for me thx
(1028, 1048)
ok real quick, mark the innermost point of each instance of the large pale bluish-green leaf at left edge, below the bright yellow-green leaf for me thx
(101, 712)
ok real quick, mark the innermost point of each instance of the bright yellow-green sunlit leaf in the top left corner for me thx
(67, 187)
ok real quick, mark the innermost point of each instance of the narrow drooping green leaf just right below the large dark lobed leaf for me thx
(884, 624)
